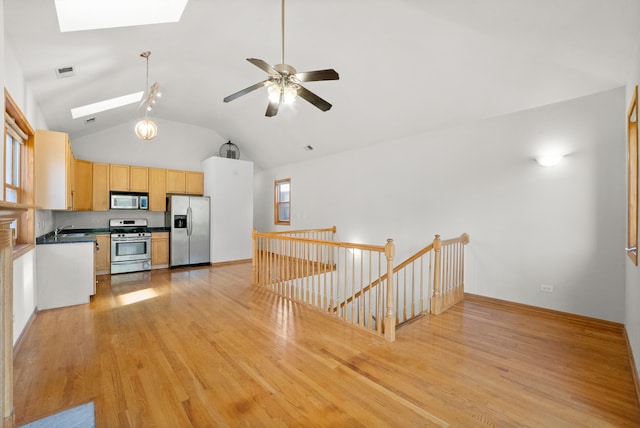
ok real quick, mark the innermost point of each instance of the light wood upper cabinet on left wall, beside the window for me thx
(54, 170)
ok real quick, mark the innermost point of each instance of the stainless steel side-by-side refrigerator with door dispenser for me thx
(189, 220)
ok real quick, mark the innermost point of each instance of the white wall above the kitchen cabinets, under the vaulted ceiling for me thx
(177, 146)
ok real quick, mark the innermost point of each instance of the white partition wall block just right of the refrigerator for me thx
(229, 183)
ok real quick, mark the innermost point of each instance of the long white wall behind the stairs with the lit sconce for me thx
(528, 225)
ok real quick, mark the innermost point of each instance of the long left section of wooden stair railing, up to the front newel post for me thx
(322, 273)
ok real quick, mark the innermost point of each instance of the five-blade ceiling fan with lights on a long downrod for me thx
(284, 83)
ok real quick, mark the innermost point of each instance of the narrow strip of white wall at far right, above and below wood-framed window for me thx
(632, 300)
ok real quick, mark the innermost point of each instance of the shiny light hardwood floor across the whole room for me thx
(201, 348)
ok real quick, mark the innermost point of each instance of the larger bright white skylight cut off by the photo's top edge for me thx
(78, 15)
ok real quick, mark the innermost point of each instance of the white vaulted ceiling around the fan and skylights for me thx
(406, 66)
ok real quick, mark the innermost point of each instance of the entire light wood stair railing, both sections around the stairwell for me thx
(351, 281)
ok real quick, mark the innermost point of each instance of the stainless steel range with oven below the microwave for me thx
(130, 245)
